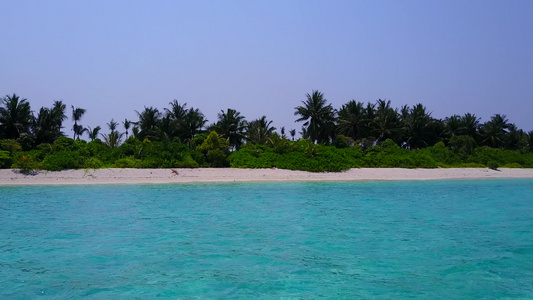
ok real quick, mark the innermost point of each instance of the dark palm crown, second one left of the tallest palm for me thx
(231, 125)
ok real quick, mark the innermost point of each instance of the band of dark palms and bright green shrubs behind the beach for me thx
(355, 135)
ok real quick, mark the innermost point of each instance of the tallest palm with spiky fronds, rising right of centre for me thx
(318, 118)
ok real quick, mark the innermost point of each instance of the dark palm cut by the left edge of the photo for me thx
(15, 117)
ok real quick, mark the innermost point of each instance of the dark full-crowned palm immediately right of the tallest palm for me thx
(353, 121)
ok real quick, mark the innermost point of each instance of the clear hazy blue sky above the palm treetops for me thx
(113, 58)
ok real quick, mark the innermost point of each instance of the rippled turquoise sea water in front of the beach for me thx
(359, 240)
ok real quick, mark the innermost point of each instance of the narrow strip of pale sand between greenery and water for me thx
(140, 176)
